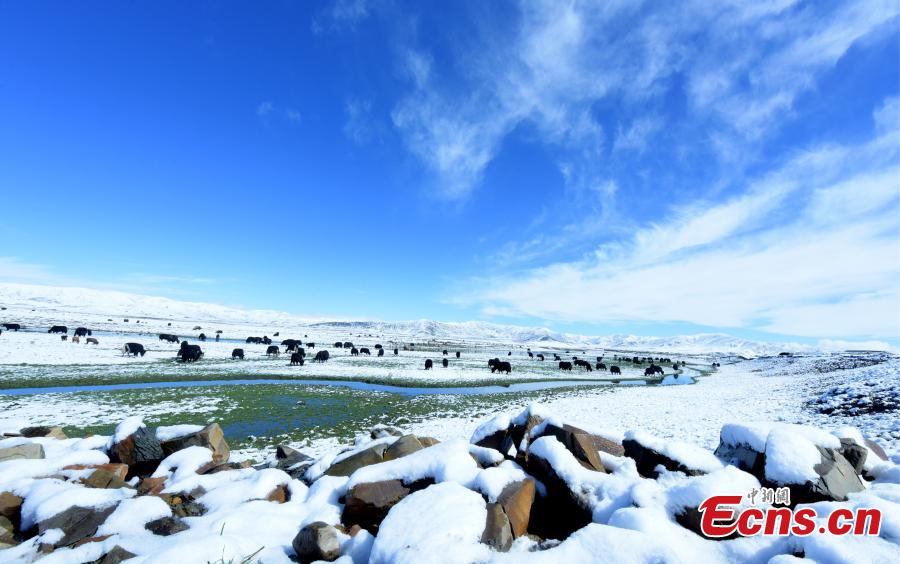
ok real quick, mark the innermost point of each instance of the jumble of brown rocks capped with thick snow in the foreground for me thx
(526, 487)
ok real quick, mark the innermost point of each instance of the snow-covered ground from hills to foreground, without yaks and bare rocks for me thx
(634, 518)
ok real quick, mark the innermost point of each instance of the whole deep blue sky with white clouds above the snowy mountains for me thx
(590, 166)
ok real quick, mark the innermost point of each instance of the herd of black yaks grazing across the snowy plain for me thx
(192, 353)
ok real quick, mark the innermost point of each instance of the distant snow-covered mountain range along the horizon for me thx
(50, 301)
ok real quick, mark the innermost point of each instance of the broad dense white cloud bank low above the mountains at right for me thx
(811, 249)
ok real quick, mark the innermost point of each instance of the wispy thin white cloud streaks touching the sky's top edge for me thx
(745, 63)
